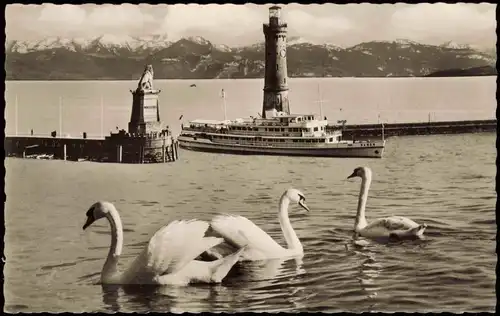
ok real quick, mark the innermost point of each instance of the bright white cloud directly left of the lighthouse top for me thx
(235, 20)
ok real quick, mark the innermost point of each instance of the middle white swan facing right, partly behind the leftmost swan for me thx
(239, 231)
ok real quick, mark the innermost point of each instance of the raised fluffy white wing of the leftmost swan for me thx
(175, 245)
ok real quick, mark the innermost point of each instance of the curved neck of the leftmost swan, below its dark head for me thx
(111, 265)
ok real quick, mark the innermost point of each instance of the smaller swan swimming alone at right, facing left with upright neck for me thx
(388, 227)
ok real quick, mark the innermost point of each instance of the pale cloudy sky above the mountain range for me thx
(238, 25)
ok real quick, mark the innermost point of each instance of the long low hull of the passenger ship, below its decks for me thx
(341, 150)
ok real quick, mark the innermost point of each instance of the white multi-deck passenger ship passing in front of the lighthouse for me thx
(282, 134)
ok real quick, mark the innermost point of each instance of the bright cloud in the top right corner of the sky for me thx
(443, 20)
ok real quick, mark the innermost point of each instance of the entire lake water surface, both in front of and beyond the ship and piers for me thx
(446, 181)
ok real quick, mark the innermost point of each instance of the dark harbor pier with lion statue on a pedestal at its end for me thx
(146, 141)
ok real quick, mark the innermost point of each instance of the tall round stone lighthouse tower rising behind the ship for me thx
(275, 82)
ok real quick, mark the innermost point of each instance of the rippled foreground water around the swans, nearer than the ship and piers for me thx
(452, 269)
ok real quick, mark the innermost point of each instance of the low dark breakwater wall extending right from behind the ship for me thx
(362, 131)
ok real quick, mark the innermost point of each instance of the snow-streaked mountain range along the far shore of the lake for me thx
(115, 58)
